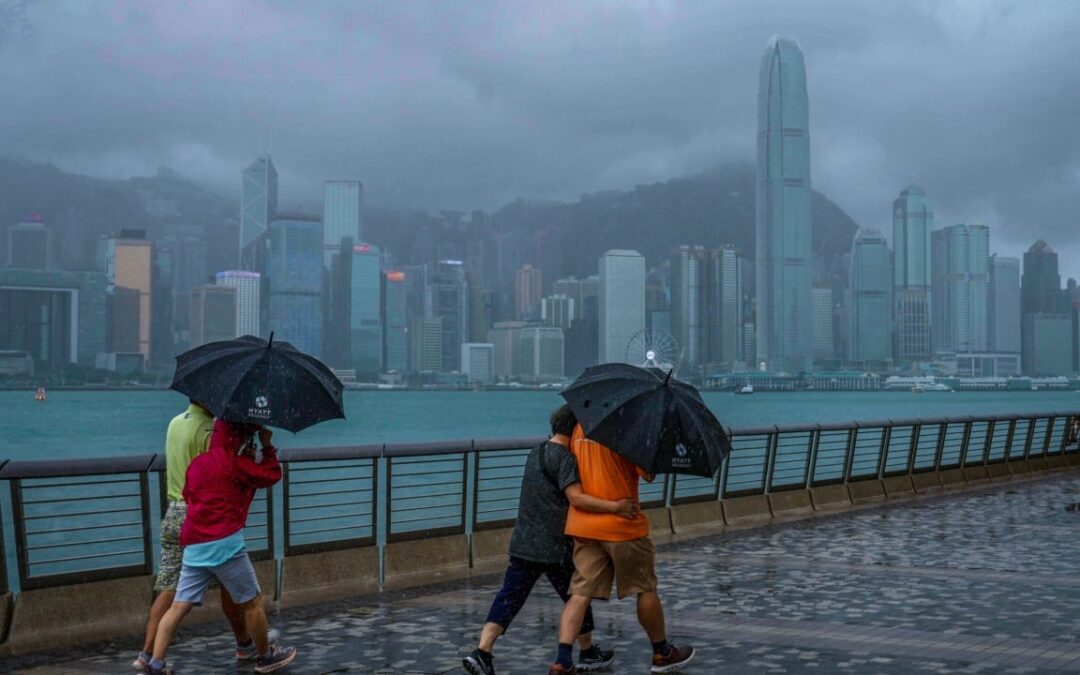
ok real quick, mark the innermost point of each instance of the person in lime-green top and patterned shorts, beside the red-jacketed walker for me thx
(187, 438)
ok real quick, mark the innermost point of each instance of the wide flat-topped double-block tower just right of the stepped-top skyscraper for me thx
(963, 258)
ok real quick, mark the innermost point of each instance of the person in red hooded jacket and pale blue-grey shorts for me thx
(220, 489)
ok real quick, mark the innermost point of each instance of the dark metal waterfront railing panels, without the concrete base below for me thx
(79, 521)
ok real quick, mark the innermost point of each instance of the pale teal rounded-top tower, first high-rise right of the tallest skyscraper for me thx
(872, 287)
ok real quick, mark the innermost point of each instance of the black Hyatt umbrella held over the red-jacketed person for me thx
(261, 382)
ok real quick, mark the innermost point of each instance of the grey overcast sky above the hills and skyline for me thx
(469, 105)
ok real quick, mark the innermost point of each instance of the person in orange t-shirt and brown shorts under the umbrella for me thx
(610, 548)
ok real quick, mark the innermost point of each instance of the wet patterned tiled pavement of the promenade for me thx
(973, 583)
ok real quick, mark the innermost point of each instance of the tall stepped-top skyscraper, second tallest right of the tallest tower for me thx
(913, 220)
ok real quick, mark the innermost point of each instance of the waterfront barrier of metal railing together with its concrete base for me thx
(346, 521)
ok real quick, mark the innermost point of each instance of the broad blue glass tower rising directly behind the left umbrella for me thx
(295, 278)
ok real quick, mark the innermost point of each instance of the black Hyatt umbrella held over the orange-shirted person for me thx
(649, 417)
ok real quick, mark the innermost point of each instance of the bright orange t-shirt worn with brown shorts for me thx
(606, 476)
